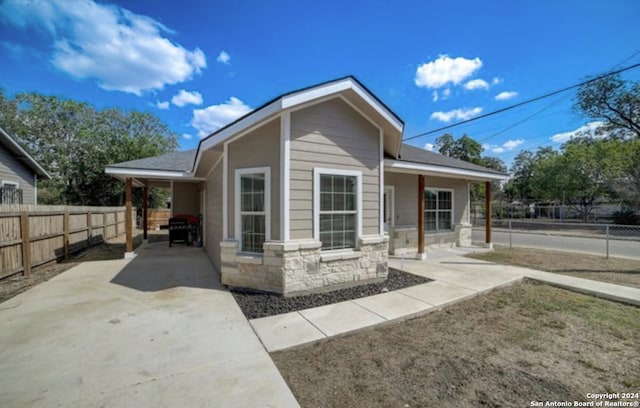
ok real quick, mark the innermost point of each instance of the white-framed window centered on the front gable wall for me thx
(337, 196)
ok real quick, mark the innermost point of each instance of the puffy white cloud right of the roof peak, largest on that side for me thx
(445, 70)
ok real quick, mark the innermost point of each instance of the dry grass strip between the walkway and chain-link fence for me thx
(613, 270)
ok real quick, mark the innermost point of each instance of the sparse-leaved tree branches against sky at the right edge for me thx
(615, 102)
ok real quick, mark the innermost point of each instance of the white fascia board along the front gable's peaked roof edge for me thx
(320, 92)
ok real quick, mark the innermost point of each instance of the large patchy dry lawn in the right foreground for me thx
(523, 343)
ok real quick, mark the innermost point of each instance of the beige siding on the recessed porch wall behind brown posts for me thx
(406, 196)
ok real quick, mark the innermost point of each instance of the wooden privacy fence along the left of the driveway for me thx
(34, 235)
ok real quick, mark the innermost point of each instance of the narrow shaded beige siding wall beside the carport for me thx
(213, 215)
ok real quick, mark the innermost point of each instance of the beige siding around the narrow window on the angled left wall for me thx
(260, 148)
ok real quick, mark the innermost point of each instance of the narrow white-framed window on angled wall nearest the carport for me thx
(252, 208)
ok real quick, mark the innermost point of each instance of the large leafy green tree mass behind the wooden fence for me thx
(74, 142)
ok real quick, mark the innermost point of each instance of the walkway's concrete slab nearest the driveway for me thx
(285, 330)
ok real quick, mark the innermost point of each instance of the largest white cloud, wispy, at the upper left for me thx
(121, 50)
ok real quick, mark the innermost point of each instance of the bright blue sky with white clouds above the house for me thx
(199, 64)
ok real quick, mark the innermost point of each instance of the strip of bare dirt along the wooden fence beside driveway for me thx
(113, 249)
